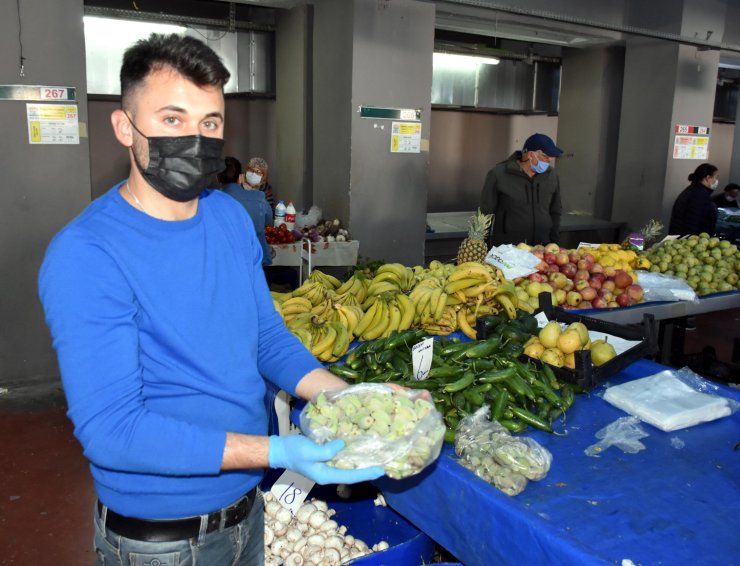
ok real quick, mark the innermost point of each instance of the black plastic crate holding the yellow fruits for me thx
(585, 374)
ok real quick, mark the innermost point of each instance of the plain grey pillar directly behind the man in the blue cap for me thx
(588, 127)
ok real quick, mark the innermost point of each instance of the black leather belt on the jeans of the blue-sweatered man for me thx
(177, 529)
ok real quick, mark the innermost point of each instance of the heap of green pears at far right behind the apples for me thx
(708, 264)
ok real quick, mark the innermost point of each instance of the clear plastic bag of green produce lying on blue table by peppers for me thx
(490, 451)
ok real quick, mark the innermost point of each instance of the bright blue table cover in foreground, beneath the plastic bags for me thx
(664, 505)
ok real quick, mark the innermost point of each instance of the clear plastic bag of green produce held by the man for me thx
(398, 429)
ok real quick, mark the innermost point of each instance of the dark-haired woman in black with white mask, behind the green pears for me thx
(694, 212)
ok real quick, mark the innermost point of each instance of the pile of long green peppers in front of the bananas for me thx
(466, 375)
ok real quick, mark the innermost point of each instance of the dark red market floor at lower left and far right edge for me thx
(46, 493)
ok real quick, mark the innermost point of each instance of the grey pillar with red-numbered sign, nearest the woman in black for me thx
(664, 84)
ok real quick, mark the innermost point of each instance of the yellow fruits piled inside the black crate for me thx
(557, 347)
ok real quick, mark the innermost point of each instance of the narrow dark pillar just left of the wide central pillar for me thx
(293, 105)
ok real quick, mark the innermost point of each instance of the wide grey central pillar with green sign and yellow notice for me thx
(372, 53)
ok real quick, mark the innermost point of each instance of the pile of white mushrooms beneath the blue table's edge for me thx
(310, 536)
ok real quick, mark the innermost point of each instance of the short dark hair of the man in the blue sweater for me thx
(188, 56)
